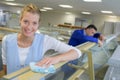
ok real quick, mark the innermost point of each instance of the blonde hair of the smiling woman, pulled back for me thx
(32, 9)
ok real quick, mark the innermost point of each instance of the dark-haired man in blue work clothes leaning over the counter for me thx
(79, 37)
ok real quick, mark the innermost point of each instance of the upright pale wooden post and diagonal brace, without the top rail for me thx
(87, 66)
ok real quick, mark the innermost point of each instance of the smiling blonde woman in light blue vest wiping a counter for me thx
(19, 49)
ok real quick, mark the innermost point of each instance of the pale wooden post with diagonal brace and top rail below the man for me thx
(88, 65)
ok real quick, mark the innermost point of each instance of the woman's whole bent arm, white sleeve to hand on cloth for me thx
(66, 52)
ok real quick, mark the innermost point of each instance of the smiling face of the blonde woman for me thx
(29, 23)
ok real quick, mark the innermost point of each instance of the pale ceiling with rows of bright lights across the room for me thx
(78, 5)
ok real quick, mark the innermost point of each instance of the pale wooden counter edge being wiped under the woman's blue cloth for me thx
(26, 73)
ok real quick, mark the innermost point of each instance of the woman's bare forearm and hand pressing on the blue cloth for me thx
(67, 56)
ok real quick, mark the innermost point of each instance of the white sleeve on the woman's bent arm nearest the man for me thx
(60, 47)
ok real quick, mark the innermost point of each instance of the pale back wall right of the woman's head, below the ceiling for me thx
(55, 18)
